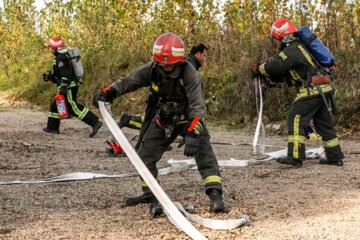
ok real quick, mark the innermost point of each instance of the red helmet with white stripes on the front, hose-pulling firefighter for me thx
(169, 49)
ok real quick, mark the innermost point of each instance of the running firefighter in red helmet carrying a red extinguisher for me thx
(67, 85)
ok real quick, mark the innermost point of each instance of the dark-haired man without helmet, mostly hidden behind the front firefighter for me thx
(196, 57)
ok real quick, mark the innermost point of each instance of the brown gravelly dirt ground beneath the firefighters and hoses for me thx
(312, 202)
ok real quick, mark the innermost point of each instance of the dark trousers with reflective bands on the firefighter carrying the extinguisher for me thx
(74, 109)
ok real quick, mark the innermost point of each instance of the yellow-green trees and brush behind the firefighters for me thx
(116, 37)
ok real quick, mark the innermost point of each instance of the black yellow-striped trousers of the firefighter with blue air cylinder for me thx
(299, 117)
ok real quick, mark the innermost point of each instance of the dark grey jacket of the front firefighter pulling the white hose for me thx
(183, 84)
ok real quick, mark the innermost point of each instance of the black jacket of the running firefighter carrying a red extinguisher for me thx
(63, 69)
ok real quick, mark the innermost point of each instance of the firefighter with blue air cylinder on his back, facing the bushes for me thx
(311, 101)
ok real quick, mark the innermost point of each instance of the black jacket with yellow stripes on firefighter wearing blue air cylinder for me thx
(295, 62)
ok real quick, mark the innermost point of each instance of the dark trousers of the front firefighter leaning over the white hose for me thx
(155, 143)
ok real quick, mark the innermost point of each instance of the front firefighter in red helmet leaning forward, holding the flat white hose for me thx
(176, 106)
